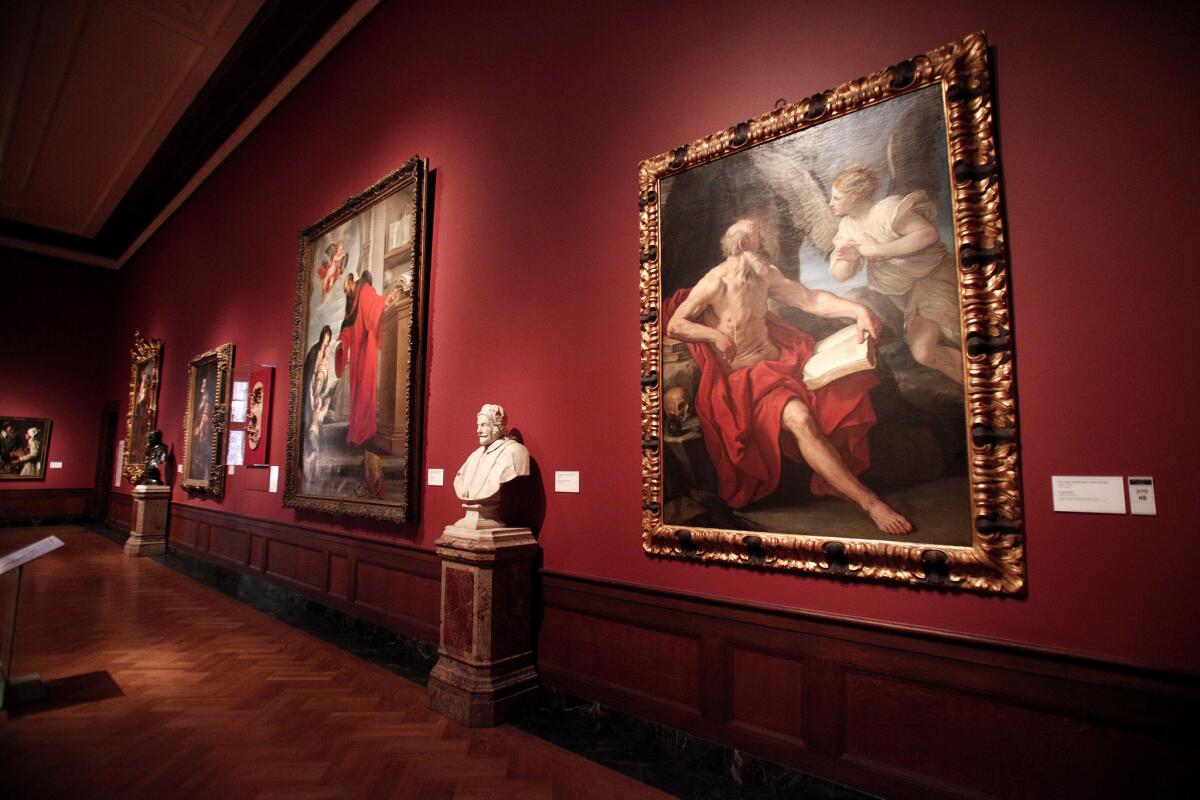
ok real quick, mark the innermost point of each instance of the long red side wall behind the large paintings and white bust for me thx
(535, 122)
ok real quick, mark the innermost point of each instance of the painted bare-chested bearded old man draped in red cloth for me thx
(753, 404)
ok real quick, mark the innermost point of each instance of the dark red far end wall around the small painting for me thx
(59, 318)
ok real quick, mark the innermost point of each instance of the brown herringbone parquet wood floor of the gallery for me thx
(164, 688)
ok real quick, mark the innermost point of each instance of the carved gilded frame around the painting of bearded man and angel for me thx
(995, 560)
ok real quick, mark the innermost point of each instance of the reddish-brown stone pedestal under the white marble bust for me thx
(485, 657)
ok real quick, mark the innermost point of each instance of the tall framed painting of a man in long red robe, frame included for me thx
(355, 406)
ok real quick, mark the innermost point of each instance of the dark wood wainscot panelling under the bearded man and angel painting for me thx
(898, 712)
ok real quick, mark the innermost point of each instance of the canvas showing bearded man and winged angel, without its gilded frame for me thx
(811, 243)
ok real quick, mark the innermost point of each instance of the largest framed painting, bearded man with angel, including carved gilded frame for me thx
(827, 370)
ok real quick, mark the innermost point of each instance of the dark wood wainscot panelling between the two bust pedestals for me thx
(395, 586)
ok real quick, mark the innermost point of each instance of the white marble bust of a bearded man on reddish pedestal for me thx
(497, 461)
